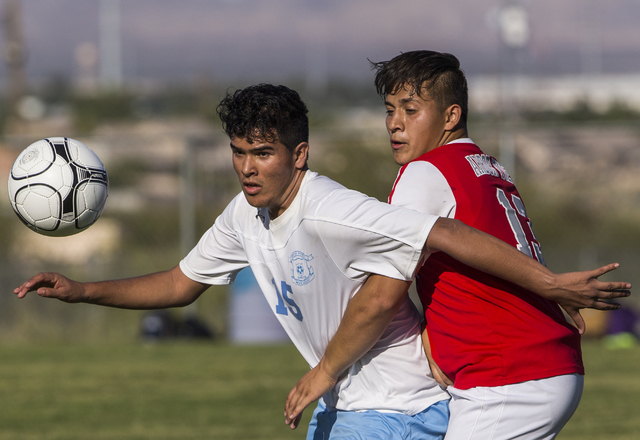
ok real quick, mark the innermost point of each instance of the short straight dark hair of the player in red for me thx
(438, 74)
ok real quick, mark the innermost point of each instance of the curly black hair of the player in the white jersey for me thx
(265, 112)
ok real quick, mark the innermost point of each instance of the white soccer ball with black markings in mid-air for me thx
(58, 186)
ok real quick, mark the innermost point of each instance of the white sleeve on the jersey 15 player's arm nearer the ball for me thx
(219, 255)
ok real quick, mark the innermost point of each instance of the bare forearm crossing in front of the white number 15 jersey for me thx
(367, 316)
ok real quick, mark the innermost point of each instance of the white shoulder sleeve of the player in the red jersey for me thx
(423, 187)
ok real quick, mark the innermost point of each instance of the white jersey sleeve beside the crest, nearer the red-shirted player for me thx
(366, 236)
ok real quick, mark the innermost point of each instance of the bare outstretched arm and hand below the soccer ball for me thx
(170, 288)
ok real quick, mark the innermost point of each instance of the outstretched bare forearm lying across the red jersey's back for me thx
(489, 254)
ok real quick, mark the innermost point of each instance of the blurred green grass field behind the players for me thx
(217, 391)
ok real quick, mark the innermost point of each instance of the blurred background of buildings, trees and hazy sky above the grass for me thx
(554, 94)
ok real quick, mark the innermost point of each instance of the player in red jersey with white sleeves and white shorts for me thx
(510, 358)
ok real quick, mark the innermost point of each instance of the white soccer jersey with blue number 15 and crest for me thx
(309, 262)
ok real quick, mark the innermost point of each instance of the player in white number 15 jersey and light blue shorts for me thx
(311, 244)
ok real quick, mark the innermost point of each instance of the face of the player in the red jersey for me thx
(415, 125)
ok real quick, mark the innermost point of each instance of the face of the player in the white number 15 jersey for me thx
(269, 173)
